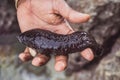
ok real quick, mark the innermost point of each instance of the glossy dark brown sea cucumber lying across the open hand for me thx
(52, 43)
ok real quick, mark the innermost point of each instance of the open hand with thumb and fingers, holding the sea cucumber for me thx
(49, 15)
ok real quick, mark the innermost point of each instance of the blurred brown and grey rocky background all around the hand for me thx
(104, 25)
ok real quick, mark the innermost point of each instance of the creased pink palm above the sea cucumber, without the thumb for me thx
(36, 17)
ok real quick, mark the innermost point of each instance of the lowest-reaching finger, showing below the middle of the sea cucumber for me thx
(61, 62)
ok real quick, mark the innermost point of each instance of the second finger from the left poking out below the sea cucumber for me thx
(40, 60)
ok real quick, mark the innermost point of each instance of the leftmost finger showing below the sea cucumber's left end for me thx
(25, 56)
